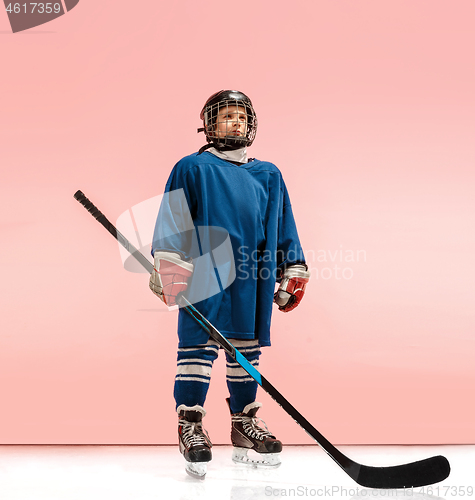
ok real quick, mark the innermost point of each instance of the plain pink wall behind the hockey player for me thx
(366, 106)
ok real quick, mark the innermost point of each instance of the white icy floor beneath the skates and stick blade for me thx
(149, 472)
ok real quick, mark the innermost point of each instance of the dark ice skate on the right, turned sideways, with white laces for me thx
(247, 435)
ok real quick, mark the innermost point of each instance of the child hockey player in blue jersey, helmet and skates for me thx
(247, 198)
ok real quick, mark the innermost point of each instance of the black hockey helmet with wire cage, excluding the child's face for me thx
(209, 114)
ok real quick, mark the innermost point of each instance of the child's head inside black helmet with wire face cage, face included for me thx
(228, 111)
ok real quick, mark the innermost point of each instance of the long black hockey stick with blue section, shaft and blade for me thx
(420, 473)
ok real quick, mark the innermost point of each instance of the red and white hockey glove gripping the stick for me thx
(169, 276)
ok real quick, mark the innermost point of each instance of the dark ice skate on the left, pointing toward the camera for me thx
(193, 440)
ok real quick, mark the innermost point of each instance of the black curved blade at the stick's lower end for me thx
(422, 473)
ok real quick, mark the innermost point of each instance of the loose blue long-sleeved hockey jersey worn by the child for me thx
(228, 212)
